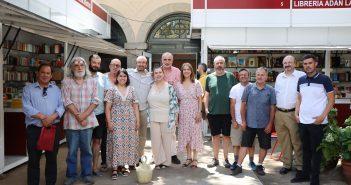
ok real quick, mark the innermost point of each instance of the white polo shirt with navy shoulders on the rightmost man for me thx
(313, 91)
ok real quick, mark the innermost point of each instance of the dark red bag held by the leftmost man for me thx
(47, 138)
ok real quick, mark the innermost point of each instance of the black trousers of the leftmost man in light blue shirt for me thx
(34, 155)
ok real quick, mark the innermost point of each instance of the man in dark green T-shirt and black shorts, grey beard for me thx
(217, 107)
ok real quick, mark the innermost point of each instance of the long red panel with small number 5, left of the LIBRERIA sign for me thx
(242, 4)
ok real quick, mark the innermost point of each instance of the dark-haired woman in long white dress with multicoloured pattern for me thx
(122, 117)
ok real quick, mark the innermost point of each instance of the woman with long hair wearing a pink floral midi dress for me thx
(189, 94)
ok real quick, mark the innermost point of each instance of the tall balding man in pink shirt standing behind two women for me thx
(172, 76)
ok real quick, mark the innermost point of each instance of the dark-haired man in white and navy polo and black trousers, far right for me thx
(314, 101)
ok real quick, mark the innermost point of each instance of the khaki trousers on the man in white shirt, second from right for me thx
(289, 138)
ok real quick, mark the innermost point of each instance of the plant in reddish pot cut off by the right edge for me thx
(345, 141)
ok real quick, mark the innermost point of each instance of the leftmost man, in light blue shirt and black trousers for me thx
(43, 107)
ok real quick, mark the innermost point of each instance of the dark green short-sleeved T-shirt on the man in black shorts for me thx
(218, 88)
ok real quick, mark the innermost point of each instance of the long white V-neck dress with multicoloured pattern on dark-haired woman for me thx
(122, 143)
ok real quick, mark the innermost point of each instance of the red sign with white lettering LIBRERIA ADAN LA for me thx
(299, 4)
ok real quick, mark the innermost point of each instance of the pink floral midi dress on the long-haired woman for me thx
(189, 132)
